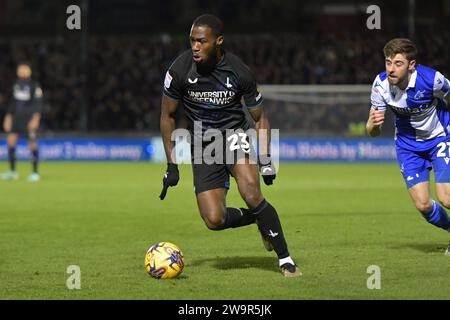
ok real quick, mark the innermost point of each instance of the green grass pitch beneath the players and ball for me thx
(338, 219)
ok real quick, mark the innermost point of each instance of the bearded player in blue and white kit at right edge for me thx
(419, 97)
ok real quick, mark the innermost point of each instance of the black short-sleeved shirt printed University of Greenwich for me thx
(213, 97)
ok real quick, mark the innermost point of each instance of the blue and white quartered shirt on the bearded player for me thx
(421, 116)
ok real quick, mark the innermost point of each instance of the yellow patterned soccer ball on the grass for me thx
(164, 260)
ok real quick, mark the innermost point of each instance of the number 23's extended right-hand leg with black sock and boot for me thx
(247, 178)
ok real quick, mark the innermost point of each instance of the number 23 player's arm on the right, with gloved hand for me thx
(262, 127)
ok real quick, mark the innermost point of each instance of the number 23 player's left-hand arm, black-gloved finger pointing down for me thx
(167, 126)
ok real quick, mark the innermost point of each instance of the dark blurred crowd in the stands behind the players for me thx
(124, 75)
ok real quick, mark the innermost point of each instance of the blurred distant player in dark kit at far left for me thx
(23, 118)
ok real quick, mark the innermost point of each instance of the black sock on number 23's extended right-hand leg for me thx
(269, 224)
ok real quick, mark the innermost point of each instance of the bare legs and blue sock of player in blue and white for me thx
(430, 209)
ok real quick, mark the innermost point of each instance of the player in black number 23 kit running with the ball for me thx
(210, 83)
